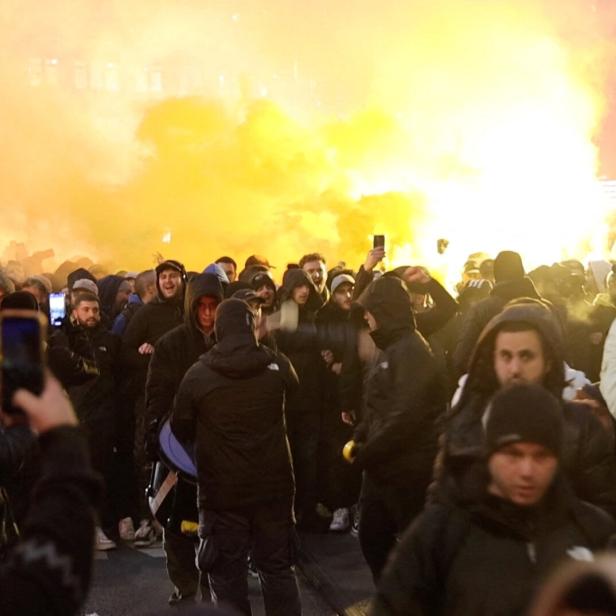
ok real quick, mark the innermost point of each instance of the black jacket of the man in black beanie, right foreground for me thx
(451, 561)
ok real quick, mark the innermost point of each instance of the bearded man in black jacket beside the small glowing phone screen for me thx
(95, 400)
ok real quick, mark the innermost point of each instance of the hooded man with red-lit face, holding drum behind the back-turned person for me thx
(174, 354)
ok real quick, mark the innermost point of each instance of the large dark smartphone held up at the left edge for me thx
(21, 354)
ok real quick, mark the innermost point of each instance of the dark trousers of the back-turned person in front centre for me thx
(266, 531)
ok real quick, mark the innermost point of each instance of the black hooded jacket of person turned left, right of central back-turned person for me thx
(397, 440)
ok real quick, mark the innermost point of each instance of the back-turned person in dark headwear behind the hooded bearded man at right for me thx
(511, 283)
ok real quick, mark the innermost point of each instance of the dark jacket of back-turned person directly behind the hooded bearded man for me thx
(480, 314)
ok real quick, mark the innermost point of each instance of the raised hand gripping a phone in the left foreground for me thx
(49, 410)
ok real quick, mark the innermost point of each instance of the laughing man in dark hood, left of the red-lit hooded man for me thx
(147, 325)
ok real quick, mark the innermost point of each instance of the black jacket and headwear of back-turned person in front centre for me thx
(233, 400)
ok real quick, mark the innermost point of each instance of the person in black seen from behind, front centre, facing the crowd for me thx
(230, 405)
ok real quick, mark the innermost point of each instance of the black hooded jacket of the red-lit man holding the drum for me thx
(176, 351)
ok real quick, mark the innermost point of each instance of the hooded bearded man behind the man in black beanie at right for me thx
(523, 345)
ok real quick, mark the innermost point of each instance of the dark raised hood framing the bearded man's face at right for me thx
(481, 375)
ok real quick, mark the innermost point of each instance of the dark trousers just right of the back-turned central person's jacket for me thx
(304, 430)
